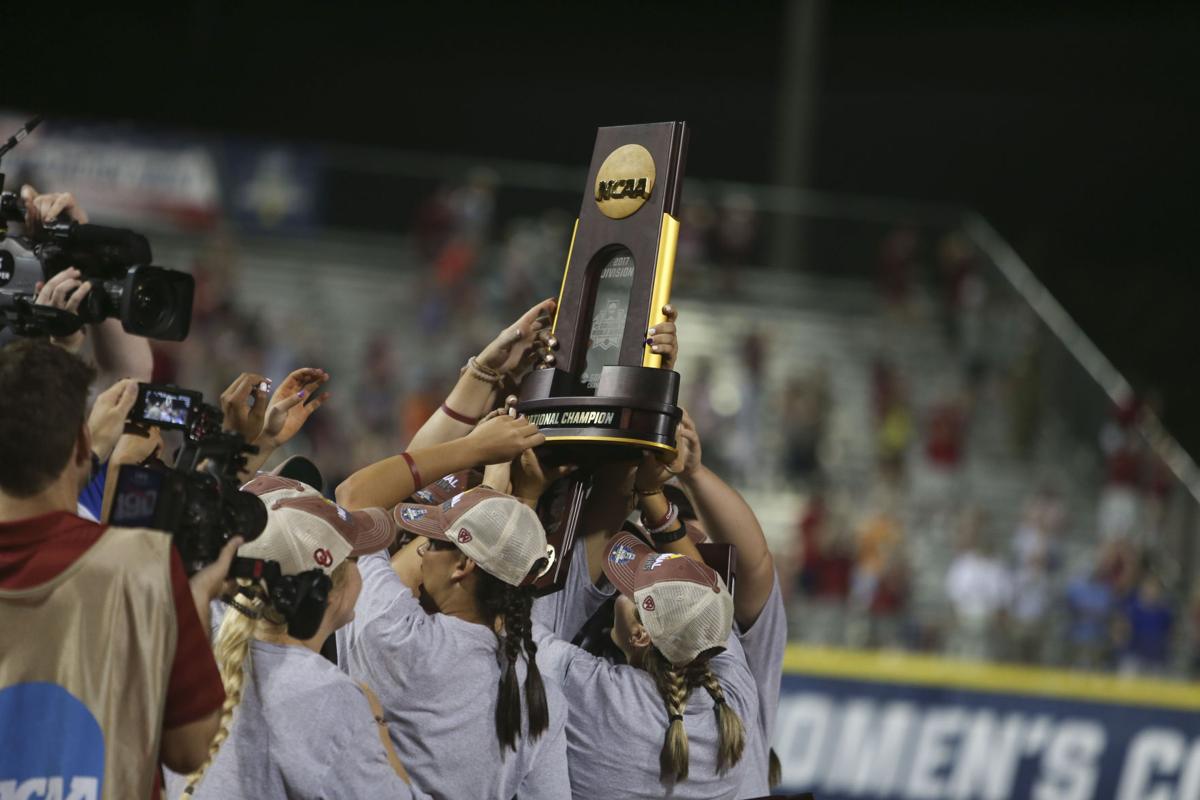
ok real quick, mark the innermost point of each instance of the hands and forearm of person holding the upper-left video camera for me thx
(116, 353)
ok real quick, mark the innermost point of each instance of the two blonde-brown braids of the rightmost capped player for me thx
(675, 685)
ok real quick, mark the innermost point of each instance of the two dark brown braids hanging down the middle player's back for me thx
(512, 606)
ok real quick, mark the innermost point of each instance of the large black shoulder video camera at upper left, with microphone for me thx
(151, 302)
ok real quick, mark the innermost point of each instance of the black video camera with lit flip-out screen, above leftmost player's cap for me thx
(197, 501)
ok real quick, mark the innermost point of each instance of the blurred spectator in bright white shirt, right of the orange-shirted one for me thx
(980, 590)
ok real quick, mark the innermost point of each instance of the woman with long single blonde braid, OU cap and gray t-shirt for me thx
(293, 725)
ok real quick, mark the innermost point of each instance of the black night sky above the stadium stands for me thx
(1073, 129)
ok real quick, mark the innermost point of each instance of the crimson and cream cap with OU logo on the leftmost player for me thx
(307, 532)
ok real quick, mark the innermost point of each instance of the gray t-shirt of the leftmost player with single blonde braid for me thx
(303, 730)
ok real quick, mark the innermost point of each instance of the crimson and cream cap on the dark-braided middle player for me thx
(499, 532)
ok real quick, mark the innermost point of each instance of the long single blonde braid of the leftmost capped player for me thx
(248, 616)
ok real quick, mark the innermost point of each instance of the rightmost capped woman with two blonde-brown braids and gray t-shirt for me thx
(685, 693)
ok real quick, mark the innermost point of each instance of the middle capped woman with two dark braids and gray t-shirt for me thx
(461, 688)
